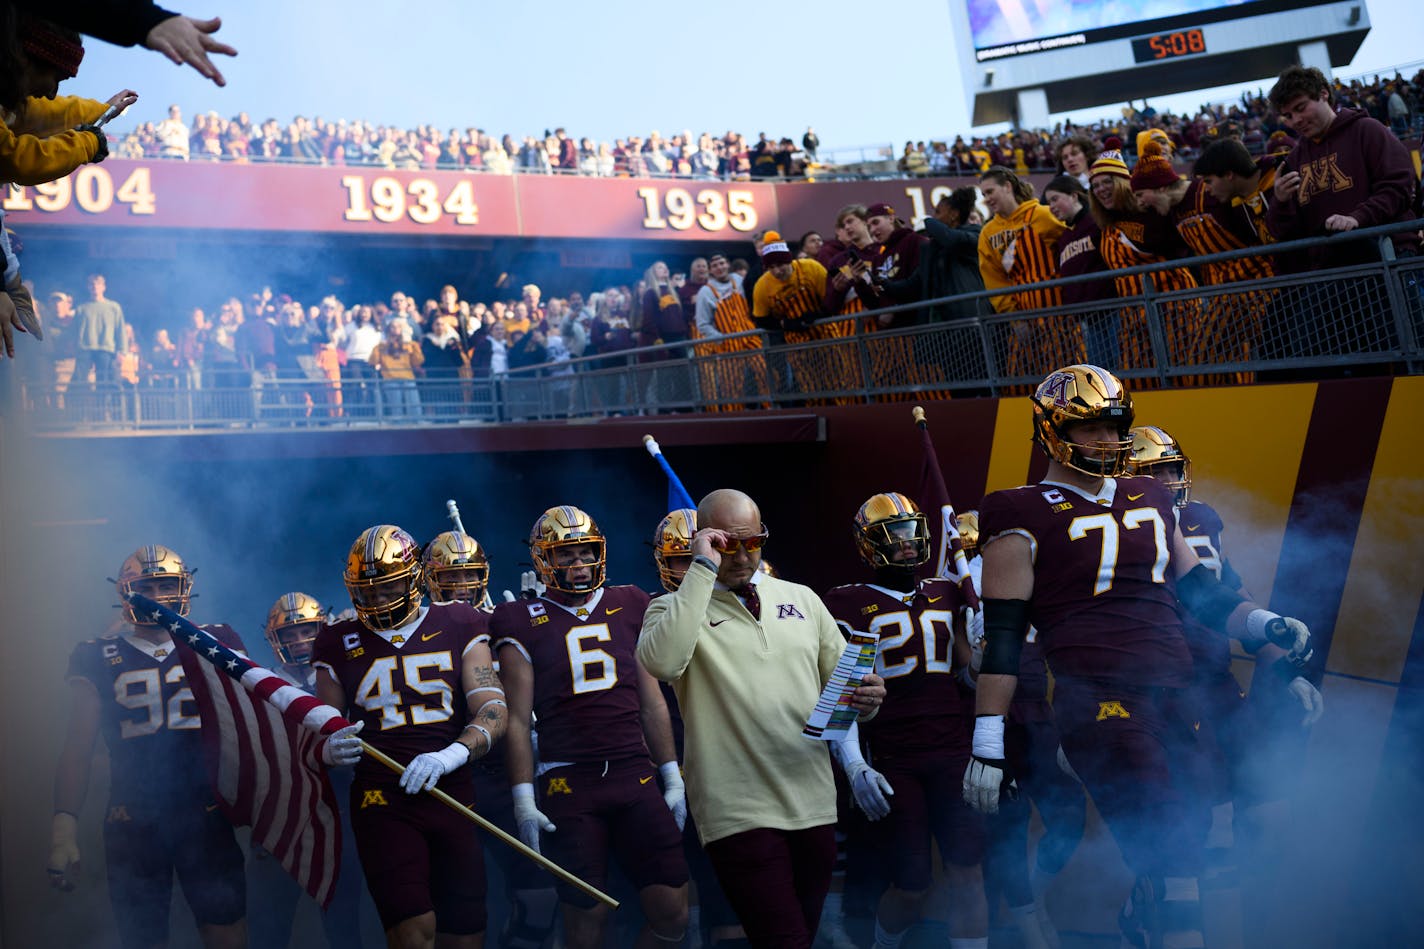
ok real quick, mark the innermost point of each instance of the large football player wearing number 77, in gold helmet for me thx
(1097, 564)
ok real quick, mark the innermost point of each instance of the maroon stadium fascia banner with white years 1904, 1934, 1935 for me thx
(379, 202)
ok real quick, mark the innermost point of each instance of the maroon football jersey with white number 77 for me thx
(1104, 593)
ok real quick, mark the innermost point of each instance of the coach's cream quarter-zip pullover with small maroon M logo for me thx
(745, 690)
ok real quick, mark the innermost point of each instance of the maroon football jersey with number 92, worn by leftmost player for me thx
(147, 716)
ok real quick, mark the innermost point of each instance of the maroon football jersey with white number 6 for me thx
(586, 678)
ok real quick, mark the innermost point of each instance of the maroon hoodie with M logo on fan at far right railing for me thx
(1358, 169)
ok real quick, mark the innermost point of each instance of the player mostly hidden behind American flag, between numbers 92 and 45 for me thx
(291, 631)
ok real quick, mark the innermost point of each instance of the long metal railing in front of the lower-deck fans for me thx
(1365, 317)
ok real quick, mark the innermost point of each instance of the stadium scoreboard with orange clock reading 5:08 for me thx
(1023, 61)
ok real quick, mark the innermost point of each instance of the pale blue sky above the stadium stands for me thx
(859, 73)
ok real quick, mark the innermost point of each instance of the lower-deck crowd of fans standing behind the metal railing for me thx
(1101, 214)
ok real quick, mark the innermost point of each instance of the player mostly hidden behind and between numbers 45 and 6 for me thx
(458, 569)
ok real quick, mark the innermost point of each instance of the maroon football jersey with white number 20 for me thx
(925, 707)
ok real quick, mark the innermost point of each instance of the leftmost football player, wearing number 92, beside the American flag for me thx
(163, 817)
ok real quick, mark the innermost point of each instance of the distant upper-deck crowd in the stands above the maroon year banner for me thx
(1398, 102)
